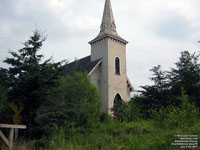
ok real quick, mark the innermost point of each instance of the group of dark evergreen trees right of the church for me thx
(167, 84)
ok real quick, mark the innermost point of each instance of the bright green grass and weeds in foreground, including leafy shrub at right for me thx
(155, 134)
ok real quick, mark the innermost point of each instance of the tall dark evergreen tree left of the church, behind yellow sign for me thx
(30, 78)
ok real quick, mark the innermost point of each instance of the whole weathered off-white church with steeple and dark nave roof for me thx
(106, 66)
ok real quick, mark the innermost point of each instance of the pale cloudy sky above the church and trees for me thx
(157, 30)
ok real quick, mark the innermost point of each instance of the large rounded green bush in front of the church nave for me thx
(73, 99)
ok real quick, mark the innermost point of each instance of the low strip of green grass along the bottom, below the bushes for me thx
(139, 135)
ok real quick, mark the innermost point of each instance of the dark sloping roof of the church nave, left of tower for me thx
(82, 65)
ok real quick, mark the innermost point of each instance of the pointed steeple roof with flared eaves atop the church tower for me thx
(108, 27)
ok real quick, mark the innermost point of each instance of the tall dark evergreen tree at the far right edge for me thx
(186, 75)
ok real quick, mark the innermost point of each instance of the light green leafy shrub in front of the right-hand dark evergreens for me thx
(172, 116)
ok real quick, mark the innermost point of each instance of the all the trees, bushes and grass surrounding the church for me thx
(64, 113)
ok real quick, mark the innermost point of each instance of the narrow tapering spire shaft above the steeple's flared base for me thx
(108, 22)
